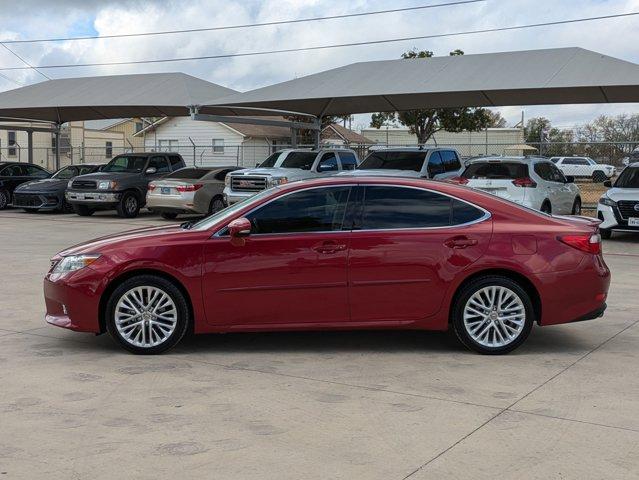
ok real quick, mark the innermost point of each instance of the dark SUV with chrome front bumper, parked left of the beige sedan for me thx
(121, 184)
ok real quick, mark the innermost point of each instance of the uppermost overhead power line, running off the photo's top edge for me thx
(247, 25)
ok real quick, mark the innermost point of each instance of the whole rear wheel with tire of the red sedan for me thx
(492, 315)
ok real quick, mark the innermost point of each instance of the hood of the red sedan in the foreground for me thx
(151, 235)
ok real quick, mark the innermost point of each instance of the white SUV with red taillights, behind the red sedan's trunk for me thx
(533, 182)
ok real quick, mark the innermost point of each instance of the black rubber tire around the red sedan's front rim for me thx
(167, 287)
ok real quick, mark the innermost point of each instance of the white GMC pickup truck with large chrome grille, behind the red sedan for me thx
(287, 166)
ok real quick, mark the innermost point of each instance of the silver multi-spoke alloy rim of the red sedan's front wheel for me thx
(145, 316)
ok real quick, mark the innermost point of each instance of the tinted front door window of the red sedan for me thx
(315, 210)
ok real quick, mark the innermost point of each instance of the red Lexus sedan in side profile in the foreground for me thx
(338, 253)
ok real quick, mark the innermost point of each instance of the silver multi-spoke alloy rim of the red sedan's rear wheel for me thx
(494, 316)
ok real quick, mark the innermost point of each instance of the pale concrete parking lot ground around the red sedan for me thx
(359, 405)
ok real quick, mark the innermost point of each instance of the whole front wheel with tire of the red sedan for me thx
(147, 314)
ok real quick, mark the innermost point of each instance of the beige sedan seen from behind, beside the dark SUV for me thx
(189, 190)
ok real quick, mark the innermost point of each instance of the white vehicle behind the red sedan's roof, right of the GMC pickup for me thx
(434, 163)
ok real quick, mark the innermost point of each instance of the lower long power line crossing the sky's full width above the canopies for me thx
(324, 47)
